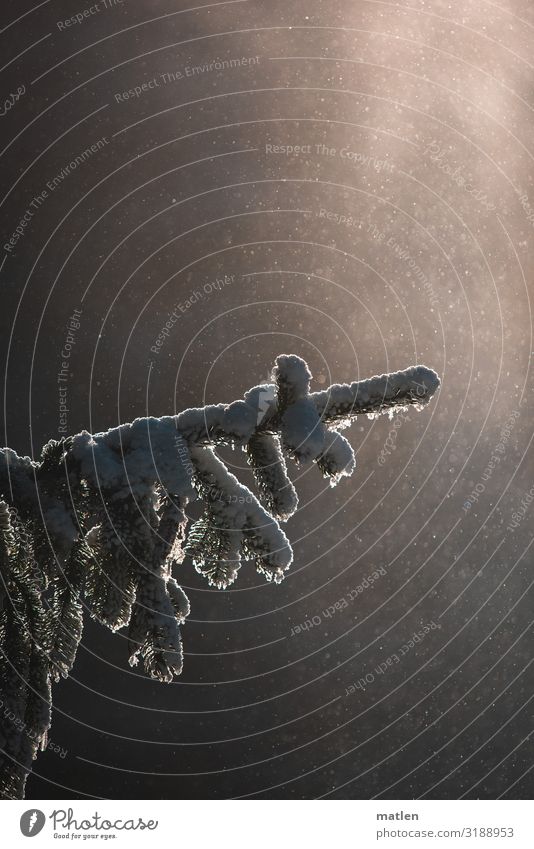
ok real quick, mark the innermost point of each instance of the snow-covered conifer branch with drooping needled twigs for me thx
(98, 524)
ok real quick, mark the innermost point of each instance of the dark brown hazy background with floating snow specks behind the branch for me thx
(185, 193)
